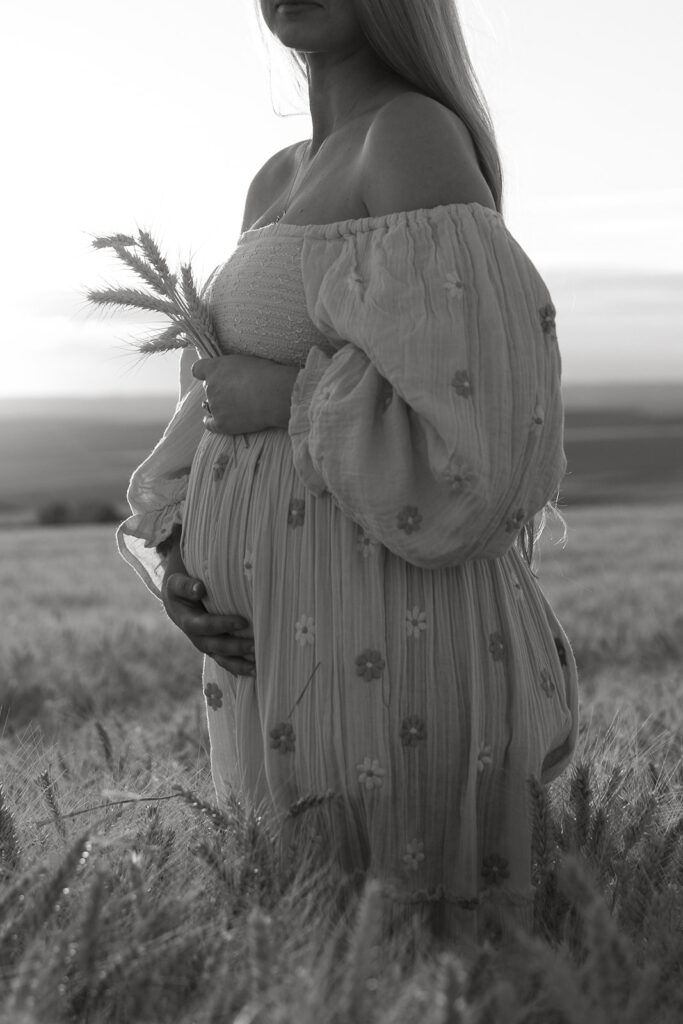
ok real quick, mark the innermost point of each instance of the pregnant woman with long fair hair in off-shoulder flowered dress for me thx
(339, 514)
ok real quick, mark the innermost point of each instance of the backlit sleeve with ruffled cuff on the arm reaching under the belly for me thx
(157, 490)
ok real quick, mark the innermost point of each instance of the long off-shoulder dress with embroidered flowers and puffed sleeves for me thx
(408, 664)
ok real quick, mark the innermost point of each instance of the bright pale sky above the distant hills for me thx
(158, 115)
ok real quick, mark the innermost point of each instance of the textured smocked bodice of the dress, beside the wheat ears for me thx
(259, 303)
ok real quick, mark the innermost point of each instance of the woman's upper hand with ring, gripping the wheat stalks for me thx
(245, 394)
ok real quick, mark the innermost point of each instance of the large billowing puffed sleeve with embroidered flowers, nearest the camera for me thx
(438, 423)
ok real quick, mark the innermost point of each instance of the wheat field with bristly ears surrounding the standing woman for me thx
(127, 898)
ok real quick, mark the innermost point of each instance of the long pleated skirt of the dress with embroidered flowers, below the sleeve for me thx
(407, 708)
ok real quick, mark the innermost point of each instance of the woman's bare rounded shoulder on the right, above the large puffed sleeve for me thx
(418, 154)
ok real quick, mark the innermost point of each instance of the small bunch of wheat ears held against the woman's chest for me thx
(180, 301)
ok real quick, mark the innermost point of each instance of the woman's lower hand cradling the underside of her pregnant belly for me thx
(214, 635)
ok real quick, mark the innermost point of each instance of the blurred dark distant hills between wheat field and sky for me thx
(624, 445)
